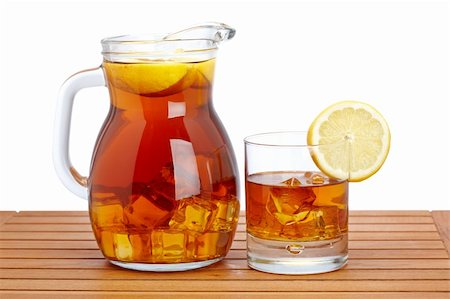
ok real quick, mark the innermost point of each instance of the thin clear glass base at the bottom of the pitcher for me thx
(165, 267)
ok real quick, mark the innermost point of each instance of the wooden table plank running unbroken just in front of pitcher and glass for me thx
(217, 274)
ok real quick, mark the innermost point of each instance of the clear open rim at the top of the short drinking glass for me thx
(296, 143)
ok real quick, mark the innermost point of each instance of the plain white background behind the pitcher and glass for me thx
(288, 61)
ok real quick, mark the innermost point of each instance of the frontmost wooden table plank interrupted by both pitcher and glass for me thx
(233, 254)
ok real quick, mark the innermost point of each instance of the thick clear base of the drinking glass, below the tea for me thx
(290, 257)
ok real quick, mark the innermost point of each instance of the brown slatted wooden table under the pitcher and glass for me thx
(393, 254)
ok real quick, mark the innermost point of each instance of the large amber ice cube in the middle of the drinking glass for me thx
(289, 205)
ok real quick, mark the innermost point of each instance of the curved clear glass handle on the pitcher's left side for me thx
(69, 176)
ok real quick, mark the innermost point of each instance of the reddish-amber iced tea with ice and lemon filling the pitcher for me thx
(163, 178)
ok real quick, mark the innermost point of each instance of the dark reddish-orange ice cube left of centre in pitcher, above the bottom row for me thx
(150, 209)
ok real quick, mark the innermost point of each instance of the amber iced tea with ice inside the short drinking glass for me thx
(300, 206)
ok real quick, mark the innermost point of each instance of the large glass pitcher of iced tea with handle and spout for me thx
(163, 182)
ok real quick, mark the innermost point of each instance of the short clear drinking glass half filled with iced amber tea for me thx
(297, 216)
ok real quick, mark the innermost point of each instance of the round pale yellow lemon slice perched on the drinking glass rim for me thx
(354, 139)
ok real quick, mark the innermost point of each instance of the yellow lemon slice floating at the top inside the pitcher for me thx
(150, 78)
